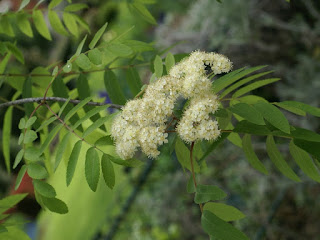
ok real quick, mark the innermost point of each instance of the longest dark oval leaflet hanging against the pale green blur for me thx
(92, 168)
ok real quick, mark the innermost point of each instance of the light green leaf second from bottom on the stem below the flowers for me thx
(225, 212)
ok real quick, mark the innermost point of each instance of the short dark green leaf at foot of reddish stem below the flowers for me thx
(206, 193)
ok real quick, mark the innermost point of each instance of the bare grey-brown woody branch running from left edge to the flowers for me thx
(54, 99)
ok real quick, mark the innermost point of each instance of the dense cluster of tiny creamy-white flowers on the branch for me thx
(142, 122)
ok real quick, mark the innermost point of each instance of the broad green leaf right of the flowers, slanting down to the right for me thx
(273, 115)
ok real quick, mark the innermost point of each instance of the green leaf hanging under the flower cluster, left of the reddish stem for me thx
(183, 156)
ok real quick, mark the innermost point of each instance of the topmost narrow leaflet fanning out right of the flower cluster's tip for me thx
(231, 77)
